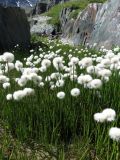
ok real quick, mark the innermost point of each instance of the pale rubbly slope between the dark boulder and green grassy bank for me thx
(39, 23)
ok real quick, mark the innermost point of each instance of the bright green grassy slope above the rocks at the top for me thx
(76, 5)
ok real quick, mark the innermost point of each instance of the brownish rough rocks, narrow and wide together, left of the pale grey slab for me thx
(79, 30)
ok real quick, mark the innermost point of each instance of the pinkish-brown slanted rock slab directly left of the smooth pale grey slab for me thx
(84, 24)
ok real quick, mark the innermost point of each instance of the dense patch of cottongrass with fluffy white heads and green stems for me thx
(59, 94)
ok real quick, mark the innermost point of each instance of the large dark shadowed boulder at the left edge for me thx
(14, 28)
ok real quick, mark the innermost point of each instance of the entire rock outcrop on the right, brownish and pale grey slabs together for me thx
(96, 24)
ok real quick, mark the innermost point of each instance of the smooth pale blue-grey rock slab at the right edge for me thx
(107, 25)
